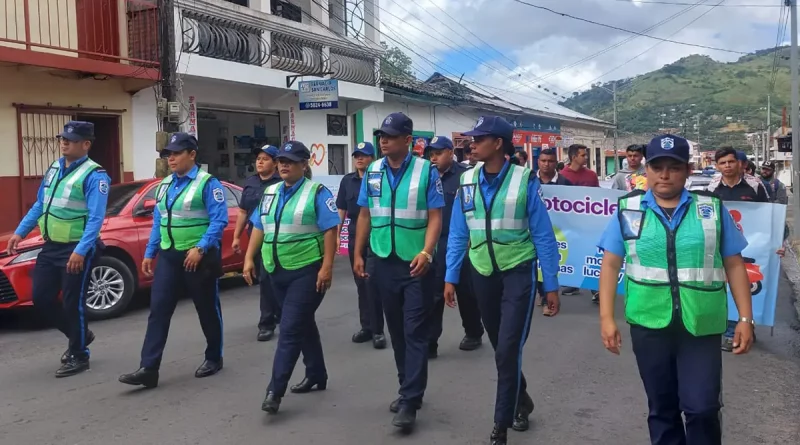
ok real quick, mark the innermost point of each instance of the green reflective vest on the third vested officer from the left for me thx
(295, 239)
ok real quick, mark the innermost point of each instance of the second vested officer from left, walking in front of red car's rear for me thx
(188, 221)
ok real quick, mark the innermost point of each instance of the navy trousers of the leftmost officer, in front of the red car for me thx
(49, 278)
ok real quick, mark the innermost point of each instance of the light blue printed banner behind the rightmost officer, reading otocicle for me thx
(580, 214)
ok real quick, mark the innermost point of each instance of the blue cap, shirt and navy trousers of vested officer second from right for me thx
(506, 297)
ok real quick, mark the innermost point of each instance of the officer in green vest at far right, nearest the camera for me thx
(675, 298)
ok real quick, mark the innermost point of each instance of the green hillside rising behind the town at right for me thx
(730, 98)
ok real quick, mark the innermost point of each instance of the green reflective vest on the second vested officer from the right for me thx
(499, 237)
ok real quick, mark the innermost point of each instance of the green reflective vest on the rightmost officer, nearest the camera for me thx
(667, 270)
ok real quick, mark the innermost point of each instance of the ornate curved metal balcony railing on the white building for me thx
(216, 30)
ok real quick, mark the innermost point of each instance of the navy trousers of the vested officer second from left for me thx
(171, 282)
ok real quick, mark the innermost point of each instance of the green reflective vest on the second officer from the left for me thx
(185, 222)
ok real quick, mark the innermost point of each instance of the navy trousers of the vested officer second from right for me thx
(506, 304)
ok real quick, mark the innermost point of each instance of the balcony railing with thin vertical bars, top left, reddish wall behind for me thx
(119, 31)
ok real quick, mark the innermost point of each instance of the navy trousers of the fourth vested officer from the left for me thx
(407, 303)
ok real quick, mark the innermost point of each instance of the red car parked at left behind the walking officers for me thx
(116, 275)
